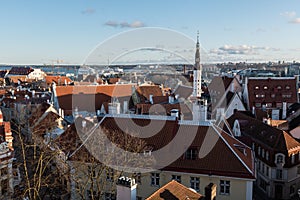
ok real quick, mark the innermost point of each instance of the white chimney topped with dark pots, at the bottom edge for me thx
(126, 188)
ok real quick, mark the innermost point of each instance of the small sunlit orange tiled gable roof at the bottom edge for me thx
(174, 190)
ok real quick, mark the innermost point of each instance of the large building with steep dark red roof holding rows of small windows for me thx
(273, 94)
